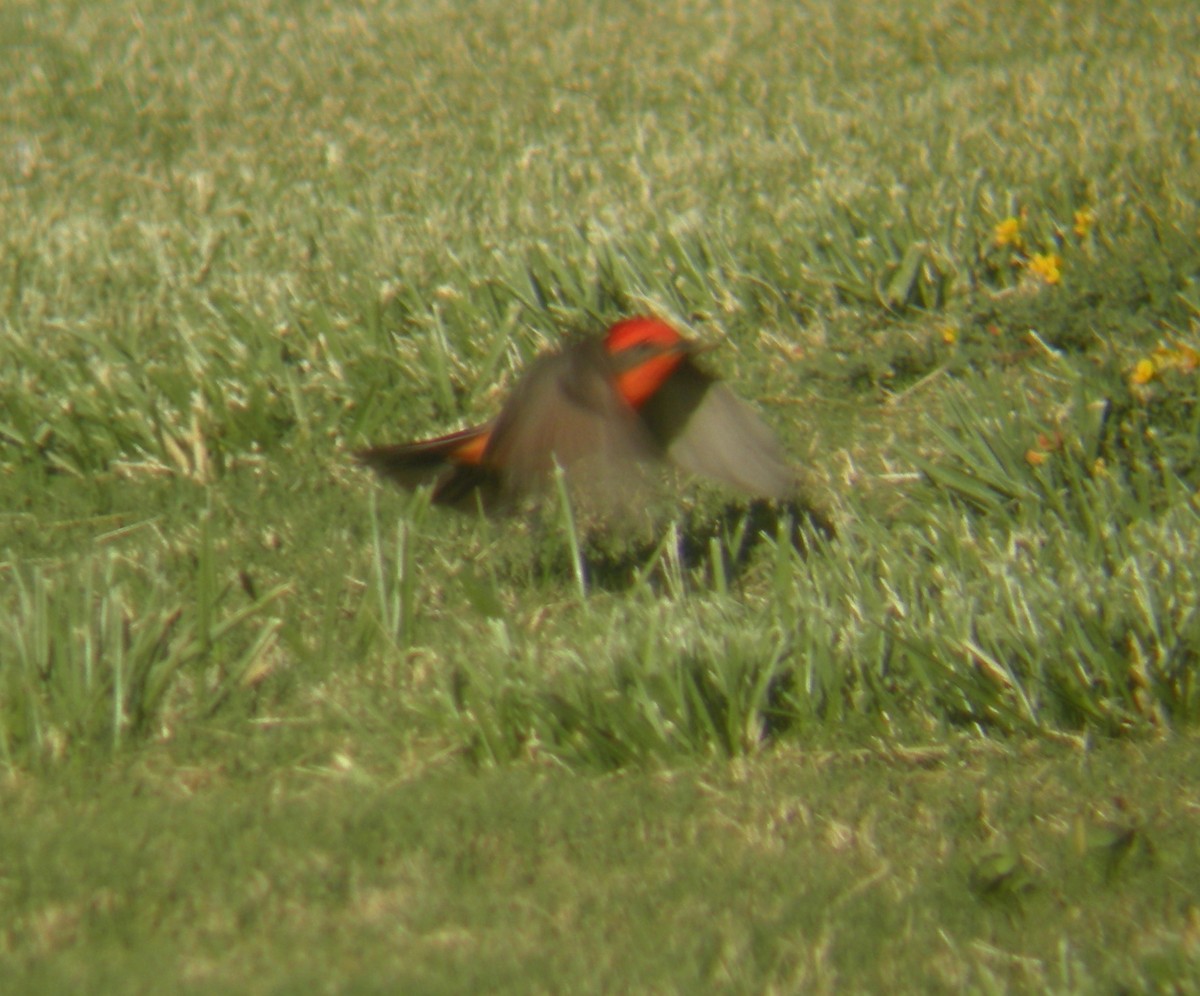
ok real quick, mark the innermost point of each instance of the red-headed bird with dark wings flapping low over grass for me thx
(605, 409)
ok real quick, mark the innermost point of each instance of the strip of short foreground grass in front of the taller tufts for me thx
(956, 867)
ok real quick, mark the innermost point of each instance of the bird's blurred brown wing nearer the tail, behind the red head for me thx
(568, 409)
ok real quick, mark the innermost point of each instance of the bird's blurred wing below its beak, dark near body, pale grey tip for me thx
(710, 431)
